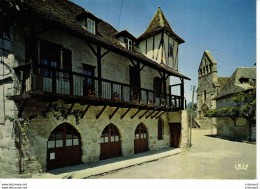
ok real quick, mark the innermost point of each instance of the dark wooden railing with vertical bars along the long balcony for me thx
(36, 77)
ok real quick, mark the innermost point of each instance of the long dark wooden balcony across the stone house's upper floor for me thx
(48, 83)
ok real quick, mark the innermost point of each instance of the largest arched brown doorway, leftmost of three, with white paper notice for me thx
(63, 147)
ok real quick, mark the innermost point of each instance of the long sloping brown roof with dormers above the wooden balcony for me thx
(65, 13)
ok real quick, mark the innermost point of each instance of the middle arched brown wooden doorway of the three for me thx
(110, 143)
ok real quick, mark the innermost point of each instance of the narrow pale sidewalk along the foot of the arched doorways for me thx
(106, 166)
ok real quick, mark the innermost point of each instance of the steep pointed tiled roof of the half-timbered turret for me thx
(159, 23)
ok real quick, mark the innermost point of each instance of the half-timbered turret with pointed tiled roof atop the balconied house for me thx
(159, 42)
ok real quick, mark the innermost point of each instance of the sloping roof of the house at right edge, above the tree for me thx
(234, 86)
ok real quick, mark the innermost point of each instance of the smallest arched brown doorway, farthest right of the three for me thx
(141, 139)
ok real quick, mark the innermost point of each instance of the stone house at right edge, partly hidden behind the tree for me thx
(243, 79)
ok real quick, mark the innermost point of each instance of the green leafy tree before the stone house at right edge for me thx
(245, 107)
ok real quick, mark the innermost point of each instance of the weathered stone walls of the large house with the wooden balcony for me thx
(31, 157)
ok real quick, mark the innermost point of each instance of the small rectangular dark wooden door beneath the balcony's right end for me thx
(175, 130)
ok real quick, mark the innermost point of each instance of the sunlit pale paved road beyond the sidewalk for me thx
(209, 158)
